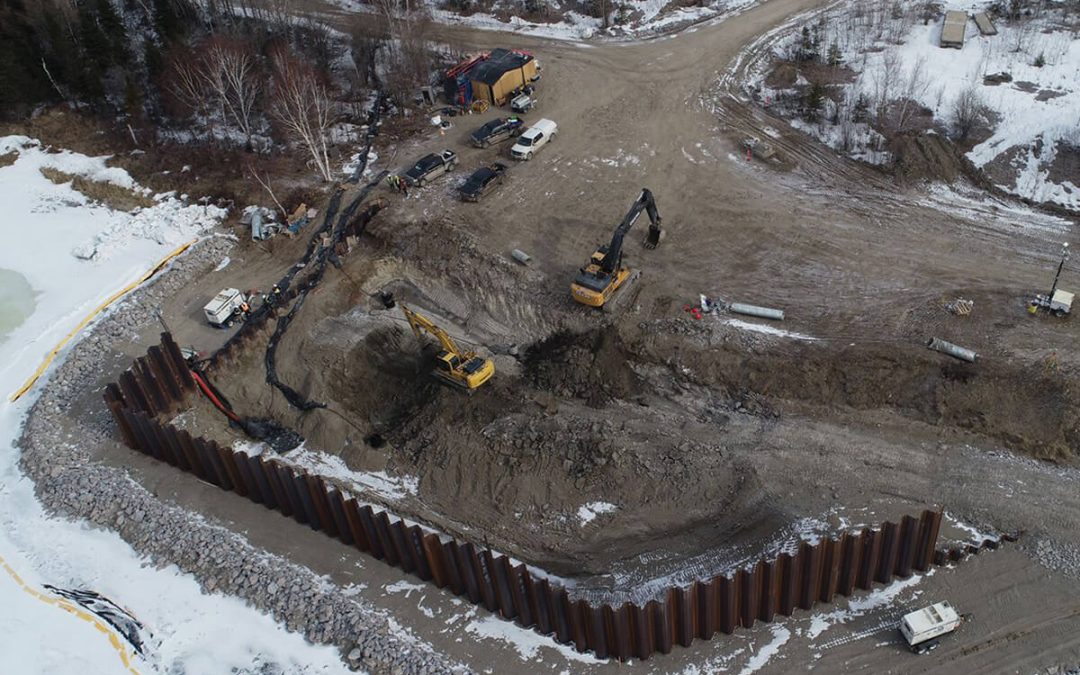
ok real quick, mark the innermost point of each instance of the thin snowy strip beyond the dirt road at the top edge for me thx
(642, 18)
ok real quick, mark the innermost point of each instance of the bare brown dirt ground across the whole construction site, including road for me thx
(709, 438)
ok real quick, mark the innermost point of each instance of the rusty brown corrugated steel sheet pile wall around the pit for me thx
(817, 573)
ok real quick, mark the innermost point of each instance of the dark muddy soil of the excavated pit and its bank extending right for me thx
(649, 411)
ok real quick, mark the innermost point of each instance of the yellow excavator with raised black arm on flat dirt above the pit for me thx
(605, 274)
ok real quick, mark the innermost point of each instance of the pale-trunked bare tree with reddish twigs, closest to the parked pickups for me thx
(304, 109)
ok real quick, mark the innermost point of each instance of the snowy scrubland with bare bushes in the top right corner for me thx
(1022, 84)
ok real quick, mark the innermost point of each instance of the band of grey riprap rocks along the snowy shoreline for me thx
(71, 484)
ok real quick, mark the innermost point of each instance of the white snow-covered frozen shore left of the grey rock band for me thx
(44, 224)
